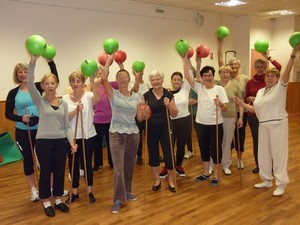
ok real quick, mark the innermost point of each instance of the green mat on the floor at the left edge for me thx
(9, 151)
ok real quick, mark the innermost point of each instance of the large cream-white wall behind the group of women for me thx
(78, 28)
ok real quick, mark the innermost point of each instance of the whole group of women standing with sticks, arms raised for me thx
(121, 110)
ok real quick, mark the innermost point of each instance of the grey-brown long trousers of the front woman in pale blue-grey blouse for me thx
(123, 149)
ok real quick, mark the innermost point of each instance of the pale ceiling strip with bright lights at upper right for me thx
(258, 8)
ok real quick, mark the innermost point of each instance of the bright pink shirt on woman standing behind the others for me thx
(102, 110)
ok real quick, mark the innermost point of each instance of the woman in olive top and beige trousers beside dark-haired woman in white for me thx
(229, 117)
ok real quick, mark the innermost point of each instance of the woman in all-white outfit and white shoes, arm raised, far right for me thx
(269, 106)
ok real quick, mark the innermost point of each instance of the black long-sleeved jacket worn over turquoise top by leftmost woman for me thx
(10, 99)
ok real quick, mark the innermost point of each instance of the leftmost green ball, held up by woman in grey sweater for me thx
(36, 45)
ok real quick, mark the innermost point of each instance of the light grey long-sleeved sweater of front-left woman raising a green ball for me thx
(53, 124)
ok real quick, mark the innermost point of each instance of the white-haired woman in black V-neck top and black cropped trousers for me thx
(161, 103)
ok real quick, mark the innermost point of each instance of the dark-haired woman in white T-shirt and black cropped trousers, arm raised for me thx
(212, 101)
